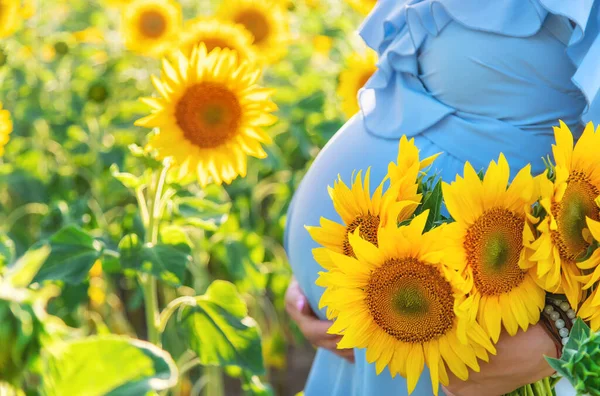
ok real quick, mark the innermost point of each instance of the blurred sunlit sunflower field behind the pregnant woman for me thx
(148, 152)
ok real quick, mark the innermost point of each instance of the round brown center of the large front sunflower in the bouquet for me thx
(410, 300)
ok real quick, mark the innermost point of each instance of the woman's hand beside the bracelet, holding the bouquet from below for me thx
(519, 362)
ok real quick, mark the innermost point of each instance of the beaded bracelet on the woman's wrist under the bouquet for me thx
(558, 318)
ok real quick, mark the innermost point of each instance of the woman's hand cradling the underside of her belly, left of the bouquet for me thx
(314, 329)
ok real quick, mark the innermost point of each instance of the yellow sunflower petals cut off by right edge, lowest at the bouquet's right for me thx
(590, 308)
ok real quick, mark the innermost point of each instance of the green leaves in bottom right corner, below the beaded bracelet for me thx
(580, 360)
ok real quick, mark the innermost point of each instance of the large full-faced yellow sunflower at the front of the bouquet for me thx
(405, 305)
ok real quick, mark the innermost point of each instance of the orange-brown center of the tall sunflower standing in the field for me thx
(209, 114)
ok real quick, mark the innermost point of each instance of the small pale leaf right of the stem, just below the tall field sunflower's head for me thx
(201, 212)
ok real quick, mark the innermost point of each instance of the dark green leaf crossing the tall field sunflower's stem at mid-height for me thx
(165, 261)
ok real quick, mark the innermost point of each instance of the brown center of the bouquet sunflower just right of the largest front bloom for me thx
(493, 245)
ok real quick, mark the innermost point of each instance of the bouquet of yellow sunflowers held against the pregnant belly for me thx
(429, 273)
